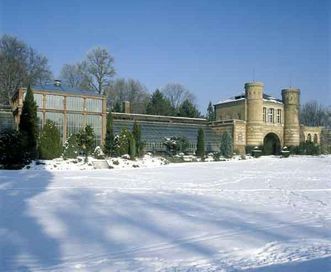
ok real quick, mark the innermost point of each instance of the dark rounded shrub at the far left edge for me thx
(11, 153)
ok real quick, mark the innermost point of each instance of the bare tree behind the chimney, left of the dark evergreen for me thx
(128, 90)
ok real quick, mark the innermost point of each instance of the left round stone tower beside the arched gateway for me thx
(254, 121)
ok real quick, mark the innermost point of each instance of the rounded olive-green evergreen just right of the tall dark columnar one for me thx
(50, 146)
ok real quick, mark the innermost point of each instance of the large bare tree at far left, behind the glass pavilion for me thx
(20, 65)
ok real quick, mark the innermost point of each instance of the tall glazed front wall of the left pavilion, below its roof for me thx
(69, 112)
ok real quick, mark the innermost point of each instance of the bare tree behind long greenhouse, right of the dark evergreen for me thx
(177, 94)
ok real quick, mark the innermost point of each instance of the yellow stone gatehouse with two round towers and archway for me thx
(258, 119)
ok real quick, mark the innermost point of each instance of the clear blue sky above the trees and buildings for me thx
(211, 47)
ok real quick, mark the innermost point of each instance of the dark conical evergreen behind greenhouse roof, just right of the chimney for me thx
(159, 105)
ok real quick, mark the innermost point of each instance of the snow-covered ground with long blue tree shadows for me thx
(266, 214)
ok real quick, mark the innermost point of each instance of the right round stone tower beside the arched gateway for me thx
(291, 100)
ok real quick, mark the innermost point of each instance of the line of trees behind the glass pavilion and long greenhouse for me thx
(21, 65)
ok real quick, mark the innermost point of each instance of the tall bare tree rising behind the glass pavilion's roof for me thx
(98, 68)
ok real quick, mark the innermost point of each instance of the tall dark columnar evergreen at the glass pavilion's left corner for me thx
(28, 126)
